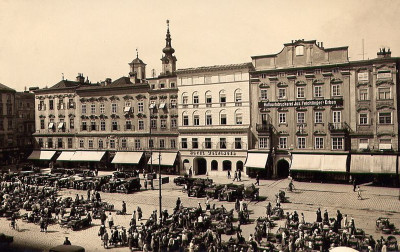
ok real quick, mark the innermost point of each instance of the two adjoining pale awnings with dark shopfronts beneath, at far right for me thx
(379, 168)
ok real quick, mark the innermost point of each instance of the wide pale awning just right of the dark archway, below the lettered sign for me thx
(321, 163)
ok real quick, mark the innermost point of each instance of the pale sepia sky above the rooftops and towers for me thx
(42, 40)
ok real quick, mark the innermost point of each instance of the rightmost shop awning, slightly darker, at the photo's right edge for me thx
(379, 164)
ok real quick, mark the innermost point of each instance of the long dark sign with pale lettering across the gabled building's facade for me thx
(305, 103)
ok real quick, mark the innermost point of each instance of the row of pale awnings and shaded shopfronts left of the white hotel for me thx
(105, 160)
